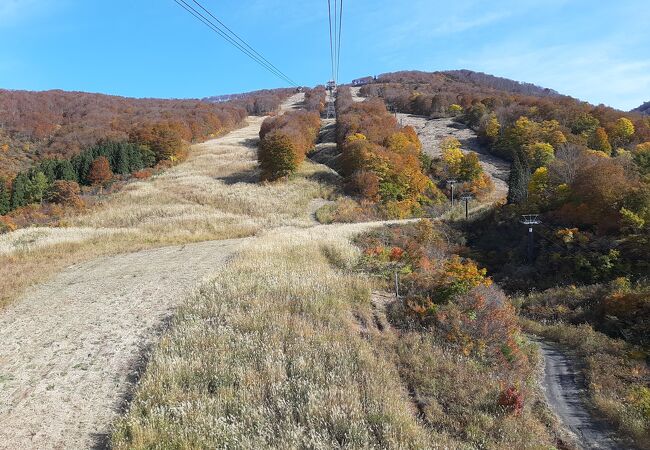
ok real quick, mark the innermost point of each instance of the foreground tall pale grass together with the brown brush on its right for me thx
(278, 352)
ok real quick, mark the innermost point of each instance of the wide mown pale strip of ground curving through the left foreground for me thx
(69, 346)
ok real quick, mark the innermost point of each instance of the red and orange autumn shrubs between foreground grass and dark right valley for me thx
(453, 300)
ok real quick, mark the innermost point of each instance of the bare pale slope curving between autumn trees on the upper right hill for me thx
(432, 132)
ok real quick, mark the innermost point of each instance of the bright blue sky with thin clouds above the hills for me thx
(597, 51)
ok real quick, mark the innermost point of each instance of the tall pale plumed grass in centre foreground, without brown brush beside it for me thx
(268, 355)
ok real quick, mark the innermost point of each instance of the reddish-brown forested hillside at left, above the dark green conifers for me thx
(38, 125)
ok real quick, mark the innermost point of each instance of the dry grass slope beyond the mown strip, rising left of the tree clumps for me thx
(214, 194)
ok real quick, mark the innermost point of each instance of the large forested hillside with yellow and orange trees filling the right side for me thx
(583, 171)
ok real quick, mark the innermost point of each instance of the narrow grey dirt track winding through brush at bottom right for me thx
(565, 396)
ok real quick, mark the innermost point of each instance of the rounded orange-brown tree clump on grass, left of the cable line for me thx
(285, 141)
